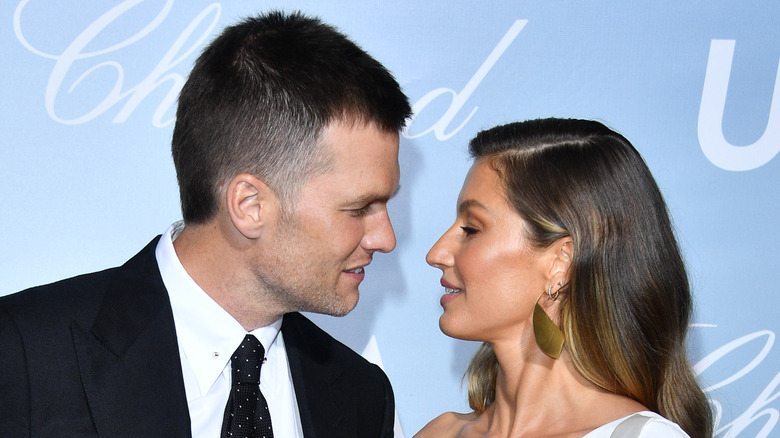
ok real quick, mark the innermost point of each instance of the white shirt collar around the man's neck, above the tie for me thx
(207, 334)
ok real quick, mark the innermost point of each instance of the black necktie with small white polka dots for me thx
(246, 413)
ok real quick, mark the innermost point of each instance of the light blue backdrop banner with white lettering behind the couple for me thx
(88, 100)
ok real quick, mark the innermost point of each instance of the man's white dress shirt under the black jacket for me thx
(207, 337)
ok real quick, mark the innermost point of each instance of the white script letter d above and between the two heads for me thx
(459, 99)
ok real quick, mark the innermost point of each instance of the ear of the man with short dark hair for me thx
(251, 204)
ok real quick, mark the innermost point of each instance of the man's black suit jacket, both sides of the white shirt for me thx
(97, 355)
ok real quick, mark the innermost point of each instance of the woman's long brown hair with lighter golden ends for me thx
(626, 308)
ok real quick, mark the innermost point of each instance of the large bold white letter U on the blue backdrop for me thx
(713, 102)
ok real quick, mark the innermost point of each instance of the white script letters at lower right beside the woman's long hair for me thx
(758, 408)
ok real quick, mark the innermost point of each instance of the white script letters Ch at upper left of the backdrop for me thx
(75, 51)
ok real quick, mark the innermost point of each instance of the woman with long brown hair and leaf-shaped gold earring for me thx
(562, 260)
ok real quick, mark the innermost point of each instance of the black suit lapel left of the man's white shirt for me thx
(129, 359)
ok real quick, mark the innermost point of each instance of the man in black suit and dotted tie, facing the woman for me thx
(286, 153)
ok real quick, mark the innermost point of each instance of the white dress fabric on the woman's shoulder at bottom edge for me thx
(645, 424)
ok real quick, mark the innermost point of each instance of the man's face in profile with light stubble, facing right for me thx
(315, 260)
